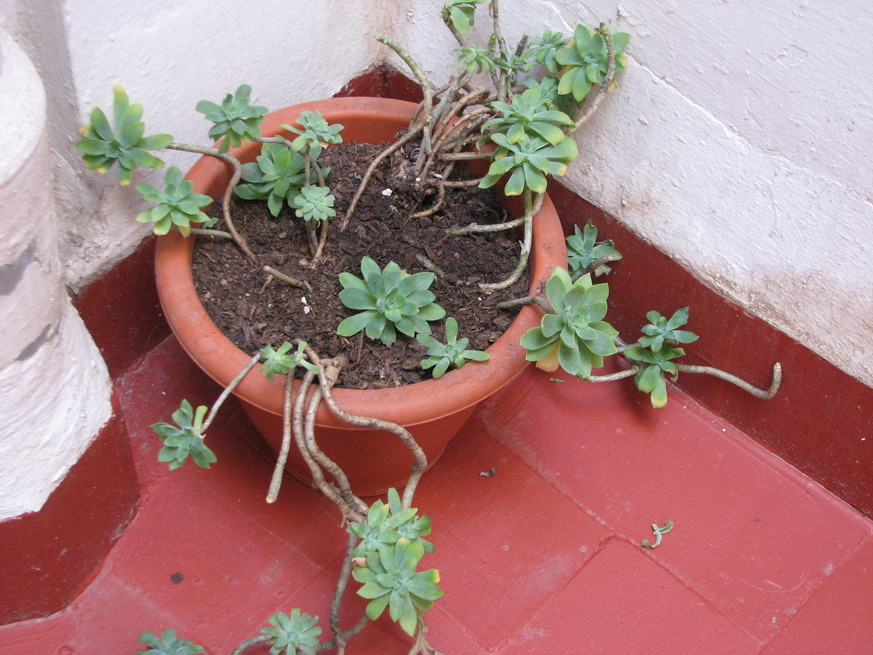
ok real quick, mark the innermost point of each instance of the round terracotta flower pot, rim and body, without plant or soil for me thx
(433, 410)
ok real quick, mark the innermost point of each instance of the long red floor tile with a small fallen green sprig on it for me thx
(741, 514)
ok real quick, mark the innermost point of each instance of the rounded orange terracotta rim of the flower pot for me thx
(408, 405)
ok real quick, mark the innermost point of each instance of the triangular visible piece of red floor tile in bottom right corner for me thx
(838, 618)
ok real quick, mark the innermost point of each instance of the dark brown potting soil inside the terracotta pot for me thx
(253, 309)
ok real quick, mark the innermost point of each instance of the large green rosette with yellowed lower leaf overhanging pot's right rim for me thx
(574, 337)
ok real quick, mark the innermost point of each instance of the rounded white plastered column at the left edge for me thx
(54, 388)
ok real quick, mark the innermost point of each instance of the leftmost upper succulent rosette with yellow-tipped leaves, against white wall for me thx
(102, 146)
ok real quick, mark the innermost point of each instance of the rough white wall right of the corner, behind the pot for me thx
(738, 143)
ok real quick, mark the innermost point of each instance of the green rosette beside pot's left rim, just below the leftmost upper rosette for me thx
(176, 205)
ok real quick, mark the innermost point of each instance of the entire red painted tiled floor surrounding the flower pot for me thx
(540, 557)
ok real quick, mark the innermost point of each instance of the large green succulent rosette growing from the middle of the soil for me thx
(391, 299)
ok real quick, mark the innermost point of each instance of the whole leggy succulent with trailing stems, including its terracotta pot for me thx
(519, 133)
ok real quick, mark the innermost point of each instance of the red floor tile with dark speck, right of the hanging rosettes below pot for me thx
(505, 543)
